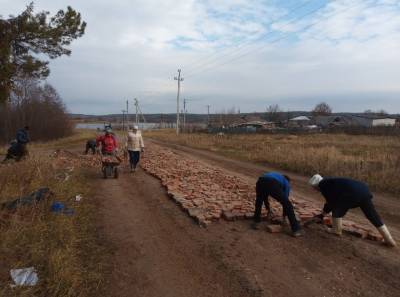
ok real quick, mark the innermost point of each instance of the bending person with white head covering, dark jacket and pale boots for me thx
(341, 195)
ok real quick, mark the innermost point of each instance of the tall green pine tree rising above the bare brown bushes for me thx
(24, 37)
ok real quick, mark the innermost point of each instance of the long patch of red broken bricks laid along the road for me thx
(208, 193)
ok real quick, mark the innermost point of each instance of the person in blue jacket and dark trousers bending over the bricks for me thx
(277, 186)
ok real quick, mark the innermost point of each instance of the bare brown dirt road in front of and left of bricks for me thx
(160, 251)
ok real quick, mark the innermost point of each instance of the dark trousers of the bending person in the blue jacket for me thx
(270, 187)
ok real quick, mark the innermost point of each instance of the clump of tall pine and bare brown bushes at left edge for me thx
(25, 98)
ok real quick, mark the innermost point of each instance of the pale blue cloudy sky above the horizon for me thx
(242, 54)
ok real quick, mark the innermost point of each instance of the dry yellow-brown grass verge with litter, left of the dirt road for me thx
(64, 249)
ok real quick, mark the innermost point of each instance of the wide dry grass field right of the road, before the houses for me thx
(373, 159)
